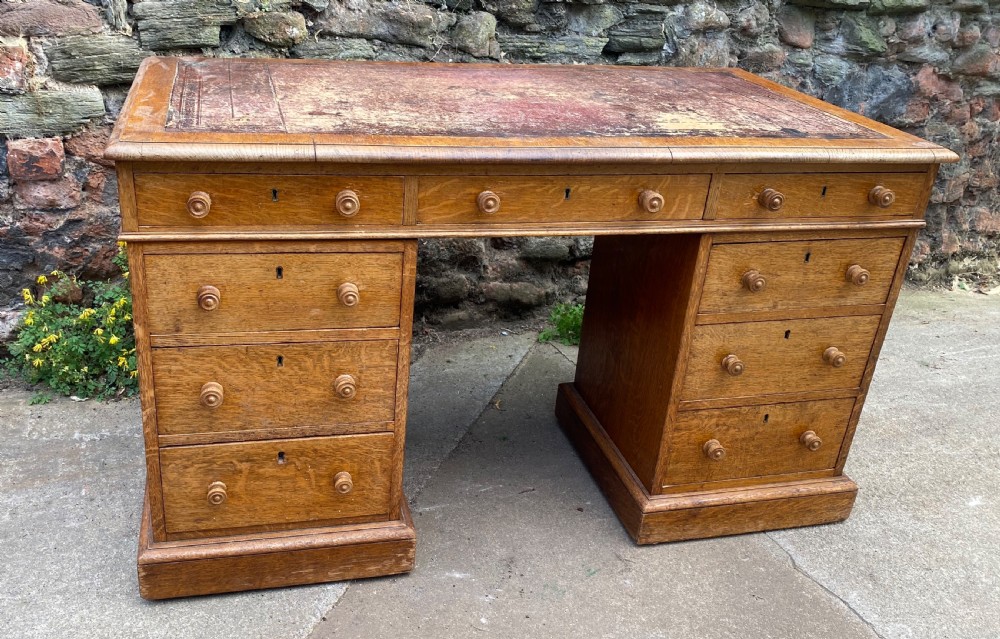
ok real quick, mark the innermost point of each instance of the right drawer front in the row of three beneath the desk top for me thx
(807, 195)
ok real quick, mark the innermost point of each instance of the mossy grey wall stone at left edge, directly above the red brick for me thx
(49, 112)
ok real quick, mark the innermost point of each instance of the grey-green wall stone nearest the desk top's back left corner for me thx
(95, 59)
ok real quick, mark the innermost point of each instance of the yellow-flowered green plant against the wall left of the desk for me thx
(73, 345)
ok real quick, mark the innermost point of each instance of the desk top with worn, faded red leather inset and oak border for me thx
(311, 110)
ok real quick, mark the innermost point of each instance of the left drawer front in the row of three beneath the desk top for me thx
(212, 200)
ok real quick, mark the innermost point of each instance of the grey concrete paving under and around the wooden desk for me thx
(514, 538)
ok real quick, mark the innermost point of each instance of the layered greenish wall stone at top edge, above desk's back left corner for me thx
(182, 24)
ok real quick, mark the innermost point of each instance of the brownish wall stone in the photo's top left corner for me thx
(48, 18)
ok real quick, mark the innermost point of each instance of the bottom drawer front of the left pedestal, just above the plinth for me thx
(223, 486)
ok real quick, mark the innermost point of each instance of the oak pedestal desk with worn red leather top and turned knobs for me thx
(751, 245)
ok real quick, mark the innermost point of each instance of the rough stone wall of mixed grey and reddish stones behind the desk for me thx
(930, 67)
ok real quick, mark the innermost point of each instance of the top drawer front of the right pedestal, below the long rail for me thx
(769, 276)
